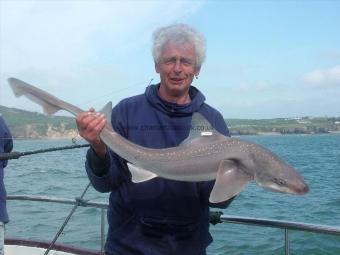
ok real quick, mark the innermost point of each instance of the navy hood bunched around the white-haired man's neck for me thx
(173, 109)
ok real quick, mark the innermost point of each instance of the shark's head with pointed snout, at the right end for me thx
(274, 174)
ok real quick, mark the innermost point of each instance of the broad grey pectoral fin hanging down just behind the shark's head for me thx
(230, 180)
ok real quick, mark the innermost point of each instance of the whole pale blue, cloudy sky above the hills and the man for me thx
(265, 59)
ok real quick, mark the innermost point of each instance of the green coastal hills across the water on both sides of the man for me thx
(25, 124)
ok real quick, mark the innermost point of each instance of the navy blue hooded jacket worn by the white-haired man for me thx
(158, 216)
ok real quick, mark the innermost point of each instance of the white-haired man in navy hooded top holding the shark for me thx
(158, 216)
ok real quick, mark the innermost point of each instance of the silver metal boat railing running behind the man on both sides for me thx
(215, 217)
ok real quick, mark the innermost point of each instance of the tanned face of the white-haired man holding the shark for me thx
(177, 68)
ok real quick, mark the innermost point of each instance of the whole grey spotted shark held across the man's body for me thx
(204, 155)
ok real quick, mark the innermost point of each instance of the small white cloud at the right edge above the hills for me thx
(323, 77)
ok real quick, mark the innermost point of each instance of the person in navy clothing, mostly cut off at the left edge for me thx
(6, 145)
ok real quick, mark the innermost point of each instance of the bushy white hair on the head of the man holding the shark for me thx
(179, 34)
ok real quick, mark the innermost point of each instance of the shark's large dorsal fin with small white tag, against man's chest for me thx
(200, 127)
